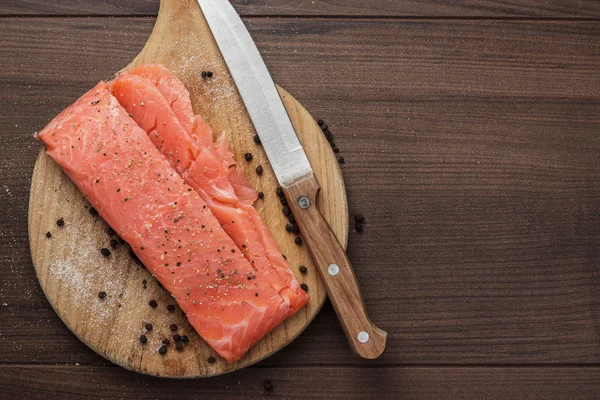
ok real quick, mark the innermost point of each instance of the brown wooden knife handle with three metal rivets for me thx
(335, 270)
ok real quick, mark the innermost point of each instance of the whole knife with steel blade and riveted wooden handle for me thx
(294, 173)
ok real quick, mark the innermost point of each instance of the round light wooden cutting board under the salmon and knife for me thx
(72, 271)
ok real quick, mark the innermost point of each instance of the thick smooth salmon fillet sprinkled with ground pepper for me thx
(120, 170)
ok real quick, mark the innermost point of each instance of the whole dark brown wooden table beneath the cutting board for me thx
(471, 135)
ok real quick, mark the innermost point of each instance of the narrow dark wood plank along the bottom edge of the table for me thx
(317, 382)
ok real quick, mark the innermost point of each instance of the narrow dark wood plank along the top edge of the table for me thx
(312, 8)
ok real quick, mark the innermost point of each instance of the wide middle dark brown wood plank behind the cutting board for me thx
(471, 147)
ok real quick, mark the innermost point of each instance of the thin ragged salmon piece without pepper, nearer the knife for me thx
(212, 174)
